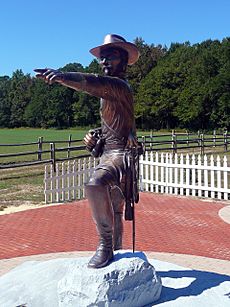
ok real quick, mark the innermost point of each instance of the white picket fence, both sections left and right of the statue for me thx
(194, 175)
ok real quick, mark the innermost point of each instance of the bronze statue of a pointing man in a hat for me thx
(106, 188)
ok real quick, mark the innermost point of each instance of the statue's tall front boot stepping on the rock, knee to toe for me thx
(100, 203)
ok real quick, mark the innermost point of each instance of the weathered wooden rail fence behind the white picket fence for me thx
(44, 152)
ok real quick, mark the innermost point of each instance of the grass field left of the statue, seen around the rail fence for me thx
(25, 184)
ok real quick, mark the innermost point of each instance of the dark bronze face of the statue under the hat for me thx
(110, 60)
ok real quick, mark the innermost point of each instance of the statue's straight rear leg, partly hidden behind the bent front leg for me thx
(118, 207)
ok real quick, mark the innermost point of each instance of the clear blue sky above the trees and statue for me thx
(53, 33)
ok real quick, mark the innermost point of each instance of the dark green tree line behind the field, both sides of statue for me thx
(183, 86)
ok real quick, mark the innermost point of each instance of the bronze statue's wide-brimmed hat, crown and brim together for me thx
(113, 40)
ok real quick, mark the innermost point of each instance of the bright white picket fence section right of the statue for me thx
(193, 175)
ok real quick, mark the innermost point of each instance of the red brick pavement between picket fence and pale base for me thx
(163, 224)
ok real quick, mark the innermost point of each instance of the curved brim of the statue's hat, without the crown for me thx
(133, 52)
